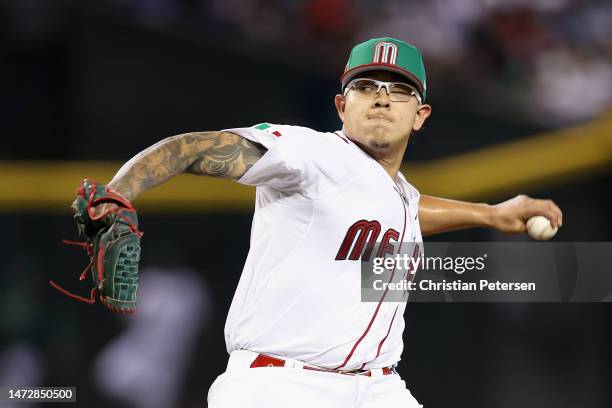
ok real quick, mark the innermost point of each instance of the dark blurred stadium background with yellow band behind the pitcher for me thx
(521, 94)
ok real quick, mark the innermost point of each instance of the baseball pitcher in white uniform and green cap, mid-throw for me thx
(297, 333)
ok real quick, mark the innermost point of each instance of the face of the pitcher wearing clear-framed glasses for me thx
(380, 125)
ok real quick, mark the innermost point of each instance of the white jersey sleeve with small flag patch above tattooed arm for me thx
(289, 163)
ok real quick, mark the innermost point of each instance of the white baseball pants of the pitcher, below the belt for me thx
(291, 386)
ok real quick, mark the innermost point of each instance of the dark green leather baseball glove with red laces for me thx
(112, 241)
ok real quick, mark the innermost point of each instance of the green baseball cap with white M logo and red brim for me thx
(387, 54)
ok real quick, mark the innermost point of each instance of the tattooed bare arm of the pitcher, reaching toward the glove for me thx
(217, 154)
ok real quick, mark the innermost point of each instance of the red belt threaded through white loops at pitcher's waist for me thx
(242, 358)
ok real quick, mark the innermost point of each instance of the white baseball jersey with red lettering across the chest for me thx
(320, 201)
